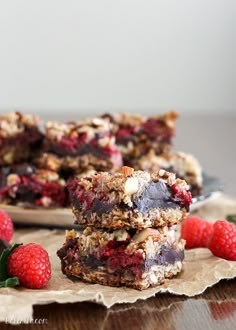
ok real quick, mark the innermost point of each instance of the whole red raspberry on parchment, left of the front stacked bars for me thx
(30, 263)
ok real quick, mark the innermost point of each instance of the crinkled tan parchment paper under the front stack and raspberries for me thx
(201, 270)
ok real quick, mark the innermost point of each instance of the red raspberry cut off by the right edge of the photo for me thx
(222, 242)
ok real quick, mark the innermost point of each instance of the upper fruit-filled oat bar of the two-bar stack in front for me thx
(129, 199)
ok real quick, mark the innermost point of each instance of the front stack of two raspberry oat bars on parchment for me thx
(129, 220)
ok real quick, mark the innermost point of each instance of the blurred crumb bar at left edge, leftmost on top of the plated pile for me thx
(19, 137)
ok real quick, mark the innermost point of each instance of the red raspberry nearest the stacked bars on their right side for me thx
(196, 232)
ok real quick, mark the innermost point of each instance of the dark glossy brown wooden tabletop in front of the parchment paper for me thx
(215, 309)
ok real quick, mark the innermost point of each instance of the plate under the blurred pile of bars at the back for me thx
(63, 217)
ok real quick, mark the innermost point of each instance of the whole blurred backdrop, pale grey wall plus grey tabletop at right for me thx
(67, 59)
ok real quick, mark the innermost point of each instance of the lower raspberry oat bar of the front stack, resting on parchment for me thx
(137, 259)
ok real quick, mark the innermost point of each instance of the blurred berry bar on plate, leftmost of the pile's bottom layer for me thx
(27, 186)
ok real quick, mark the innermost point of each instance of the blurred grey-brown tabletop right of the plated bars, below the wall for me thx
(212, 140)
